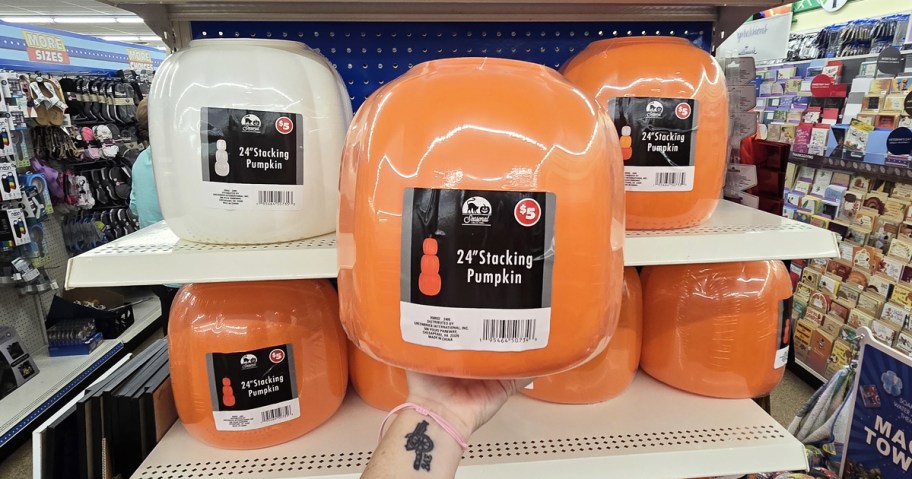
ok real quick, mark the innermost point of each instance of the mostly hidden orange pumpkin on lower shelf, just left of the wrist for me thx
(379, 385)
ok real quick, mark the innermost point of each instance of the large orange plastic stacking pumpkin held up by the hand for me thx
(481, 222)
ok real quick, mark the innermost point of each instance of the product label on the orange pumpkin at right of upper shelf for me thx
(657, 142)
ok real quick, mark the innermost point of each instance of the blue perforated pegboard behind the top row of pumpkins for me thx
(369, 54)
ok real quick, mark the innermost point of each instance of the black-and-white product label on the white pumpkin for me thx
(252, 160)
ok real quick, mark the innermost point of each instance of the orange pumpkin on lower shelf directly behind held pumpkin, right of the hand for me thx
(609, 373)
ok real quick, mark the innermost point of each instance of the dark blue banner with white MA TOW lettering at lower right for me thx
(880, 435)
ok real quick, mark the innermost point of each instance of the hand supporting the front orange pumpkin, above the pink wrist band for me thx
(466, 403)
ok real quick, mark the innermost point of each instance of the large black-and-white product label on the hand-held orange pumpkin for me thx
(476, 269)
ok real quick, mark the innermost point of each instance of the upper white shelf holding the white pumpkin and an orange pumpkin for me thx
(155, 255)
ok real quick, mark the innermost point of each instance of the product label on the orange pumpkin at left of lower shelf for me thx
(253, 389)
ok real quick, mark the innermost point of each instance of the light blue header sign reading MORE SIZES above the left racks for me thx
(44, 49)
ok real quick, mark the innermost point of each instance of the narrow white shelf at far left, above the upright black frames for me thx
(57, 376)
